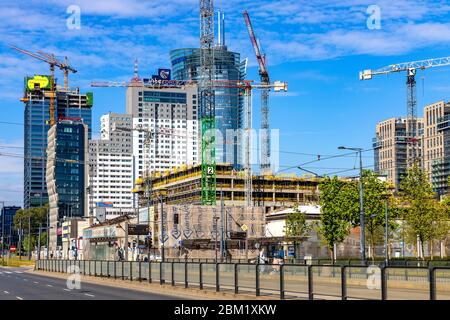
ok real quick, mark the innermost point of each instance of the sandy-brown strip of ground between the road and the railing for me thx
(177, 291)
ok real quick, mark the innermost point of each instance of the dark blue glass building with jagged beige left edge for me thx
(67, 174)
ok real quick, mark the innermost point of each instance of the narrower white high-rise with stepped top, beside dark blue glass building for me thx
(111, 174)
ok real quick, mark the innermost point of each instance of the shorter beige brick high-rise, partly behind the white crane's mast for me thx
(391, 149)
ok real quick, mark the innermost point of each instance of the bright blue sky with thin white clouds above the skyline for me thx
(317, 46)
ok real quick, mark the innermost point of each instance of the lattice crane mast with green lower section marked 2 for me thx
(207, 103)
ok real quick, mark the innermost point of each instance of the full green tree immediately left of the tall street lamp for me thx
(336, 212)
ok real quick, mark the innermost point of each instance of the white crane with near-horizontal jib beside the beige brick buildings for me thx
(411, 101)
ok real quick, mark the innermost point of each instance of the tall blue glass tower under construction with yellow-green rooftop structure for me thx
(36, 125)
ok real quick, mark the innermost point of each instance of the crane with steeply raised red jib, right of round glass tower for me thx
(265, 80)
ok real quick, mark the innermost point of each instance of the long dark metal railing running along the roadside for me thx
(288, 281)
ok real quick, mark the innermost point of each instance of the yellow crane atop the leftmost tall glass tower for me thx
(53, 62)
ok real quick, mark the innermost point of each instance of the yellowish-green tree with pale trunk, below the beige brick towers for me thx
(425, 217)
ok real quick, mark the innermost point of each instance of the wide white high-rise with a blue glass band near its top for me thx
(169, 117)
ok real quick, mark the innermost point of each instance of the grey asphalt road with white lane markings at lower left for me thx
(16, 284)
